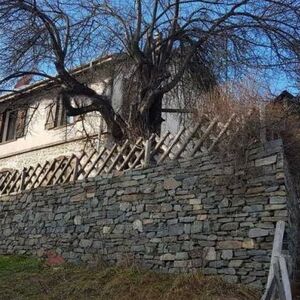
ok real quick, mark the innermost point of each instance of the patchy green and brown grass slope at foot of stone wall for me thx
(27, 278)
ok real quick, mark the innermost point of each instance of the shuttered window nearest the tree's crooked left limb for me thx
(57, 115)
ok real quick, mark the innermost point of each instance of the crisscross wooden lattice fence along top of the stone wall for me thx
(202, 138)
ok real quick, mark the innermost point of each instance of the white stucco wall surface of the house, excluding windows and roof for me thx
(40, 144)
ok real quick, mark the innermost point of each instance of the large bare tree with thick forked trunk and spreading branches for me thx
(162, 45)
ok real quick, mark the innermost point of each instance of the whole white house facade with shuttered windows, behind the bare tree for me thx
(34, 126)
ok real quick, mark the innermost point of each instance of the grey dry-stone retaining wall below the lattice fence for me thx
(202, 214)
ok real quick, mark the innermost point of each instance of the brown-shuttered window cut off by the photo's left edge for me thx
(12, 124)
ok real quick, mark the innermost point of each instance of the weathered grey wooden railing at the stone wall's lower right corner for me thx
(278, 284)
